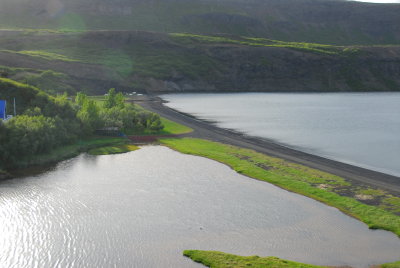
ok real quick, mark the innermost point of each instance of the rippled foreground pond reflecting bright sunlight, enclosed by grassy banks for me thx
(143, 208)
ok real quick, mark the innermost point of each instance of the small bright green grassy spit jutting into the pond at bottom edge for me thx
(217, 259)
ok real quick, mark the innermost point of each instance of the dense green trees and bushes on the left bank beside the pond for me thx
(45, 122)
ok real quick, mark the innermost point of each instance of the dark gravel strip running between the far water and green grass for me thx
(206, 130)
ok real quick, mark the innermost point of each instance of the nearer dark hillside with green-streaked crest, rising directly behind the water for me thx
(155, 62)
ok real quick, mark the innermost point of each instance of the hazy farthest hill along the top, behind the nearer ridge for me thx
(322, 21)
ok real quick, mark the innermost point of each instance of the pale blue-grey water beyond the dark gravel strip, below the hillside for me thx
(361, 129)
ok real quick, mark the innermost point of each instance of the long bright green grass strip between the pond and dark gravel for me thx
(293, 177)
